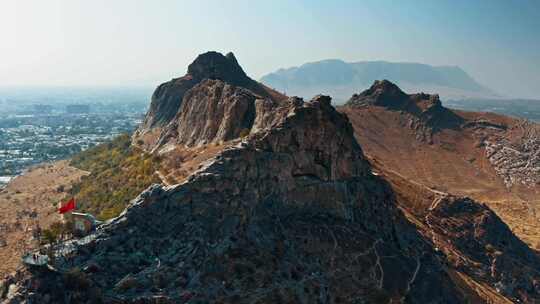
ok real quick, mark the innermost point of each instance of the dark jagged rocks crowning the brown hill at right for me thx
(424, 112)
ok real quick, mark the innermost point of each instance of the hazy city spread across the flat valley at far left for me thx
(40, 128)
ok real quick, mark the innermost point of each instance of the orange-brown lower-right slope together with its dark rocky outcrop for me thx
(473, 240)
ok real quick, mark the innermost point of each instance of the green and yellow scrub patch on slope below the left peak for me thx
(118, 173)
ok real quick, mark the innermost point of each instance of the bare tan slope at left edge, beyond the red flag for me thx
(28, 204)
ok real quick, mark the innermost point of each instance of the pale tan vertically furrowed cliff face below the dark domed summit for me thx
(215, 111)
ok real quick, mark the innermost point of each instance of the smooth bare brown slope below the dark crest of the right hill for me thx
(455, 162)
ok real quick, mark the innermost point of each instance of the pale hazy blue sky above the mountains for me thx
(136, 42)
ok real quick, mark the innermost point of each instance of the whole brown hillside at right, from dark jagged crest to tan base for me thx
(489, 157)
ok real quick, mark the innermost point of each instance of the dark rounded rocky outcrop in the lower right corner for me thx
(478, 243)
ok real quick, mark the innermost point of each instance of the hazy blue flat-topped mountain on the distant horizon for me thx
(341, 79)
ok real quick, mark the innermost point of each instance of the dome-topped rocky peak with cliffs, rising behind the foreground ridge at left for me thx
(212, 76)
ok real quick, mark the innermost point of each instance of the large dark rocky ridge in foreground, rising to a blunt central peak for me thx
(283, 216)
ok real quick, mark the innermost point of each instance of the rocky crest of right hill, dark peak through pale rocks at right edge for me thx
(510, 145)
